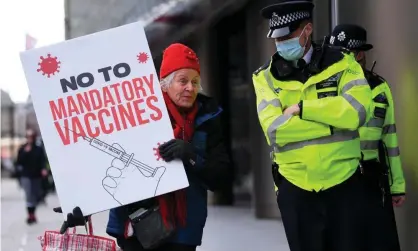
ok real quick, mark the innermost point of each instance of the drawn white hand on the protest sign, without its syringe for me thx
(120, 179)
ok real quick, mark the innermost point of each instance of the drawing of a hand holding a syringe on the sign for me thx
(126, 171)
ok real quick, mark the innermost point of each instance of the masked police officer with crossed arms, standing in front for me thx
(311, 100)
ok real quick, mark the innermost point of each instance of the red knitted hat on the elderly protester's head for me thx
(178, 56)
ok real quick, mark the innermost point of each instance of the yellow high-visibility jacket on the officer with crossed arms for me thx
(320, 148)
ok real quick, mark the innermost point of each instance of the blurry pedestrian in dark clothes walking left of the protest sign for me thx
(31, 168)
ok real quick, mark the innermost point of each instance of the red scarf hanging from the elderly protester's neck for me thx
(173, 205)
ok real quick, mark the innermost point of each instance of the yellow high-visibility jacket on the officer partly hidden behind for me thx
(381, 127)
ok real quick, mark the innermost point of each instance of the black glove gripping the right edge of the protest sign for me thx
(178, 149)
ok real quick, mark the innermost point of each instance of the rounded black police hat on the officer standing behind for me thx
(350, 36)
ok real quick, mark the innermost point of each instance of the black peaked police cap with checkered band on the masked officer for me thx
(286, 16)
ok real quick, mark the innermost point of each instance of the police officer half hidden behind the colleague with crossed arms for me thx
(385, 184)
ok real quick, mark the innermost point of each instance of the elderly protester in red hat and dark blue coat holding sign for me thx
(198, 143)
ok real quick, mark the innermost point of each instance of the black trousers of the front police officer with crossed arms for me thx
(330, 220)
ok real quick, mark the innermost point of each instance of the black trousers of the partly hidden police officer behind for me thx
(382, 233)
